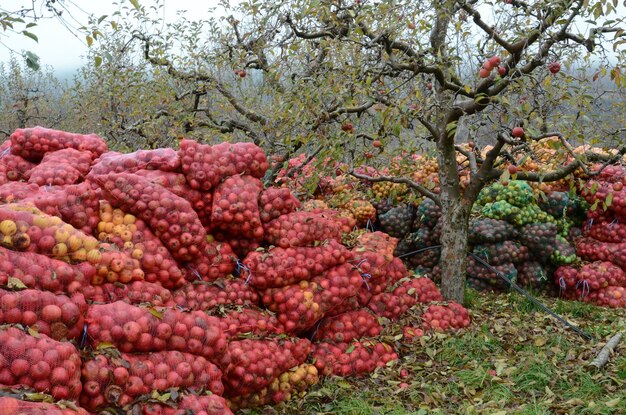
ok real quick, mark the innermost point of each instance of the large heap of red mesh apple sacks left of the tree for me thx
(171, 281)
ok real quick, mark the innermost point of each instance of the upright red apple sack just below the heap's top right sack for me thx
(236, 207)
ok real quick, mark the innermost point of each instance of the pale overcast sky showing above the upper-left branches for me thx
(63, 48)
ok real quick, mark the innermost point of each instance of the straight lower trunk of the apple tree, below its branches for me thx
(455, 219)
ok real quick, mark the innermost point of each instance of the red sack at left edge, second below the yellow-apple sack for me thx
(57, 316)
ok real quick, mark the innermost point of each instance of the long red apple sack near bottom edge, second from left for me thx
(119, 380)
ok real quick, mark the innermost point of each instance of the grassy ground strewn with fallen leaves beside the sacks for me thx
(514, 359)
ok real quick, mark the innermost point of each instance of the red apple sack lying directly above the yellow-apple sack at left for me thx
(76, 204)
